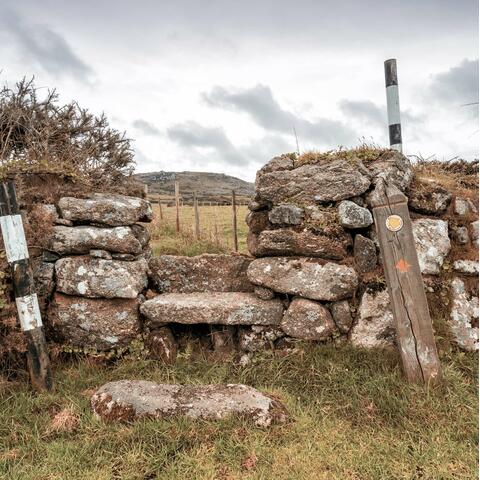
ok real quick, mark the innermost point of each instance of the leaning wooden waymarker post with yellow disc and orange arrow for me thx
(404, 280)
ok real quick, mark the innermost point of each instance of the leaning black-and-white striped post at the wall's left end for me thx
(26, 299)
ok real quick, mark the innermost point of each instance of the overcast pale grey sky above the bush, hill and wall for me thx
(220, 85)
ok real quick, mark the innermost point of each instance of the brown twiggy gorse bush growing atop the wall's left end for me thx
(41, 137)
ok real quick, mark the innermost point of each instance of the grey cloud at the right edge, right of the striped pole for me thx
(458, 85)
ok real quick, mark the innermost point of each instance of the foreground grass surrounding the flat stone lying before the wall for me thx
(351, 417)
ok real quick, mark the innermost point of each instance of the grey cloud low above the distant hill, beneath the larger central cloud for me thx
(192, 135)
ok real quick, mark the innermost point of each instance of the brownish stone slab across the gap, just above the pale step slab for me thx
(202, 273)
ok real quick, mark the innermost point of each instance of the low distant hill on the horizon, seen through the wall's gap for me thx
(207, 185)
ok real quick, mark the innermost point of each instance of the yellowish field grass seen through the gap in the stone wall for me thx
(216, 227)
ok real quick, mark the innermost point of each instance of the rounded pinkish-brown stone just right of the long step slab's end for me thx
(308, 320)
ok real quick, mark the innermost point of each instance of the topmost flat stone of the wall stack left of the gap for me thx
(113, 210)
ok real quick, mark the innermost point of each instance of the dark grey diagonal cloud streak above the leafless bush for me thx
(44, 46)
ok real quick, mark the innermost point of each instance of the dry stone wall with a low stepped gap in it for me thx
(314, 273)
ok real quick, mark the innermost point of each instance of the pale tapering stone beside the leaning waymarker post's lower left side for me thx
(374, 327)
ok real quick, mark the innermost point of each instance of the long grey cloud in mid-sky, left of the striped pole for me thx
(259, 103)
